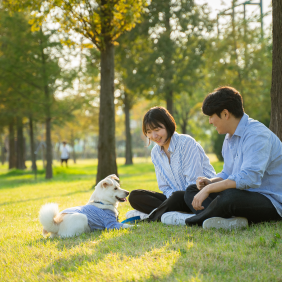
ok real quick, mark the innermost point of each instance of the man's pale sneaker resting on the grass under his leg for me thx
(225, 223)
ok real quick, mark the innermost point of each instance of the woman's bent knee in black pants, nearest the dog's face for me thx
(145, 201)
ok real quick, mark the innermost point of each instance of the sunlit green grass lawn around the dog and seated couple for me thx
(150, 252)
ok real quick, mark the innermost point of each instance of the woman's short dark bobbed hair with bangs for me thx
(157, 116)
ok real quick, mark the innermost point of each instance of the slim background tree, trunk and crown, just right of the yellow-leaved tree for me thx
(132, 84)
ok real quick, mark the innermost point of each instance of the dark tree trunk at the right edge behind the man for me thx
(276, 86)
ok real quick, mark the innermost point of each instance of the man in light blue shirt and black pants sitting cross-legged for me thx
(249, 188)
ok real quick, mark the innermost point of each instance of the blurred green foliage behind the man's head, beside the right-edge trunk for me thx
(239, 57)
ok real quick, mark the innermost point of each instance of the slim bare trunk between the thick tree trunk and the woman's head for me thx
(128, 145)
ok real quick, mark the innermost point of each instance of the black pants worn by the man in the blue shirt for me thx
(231, 202)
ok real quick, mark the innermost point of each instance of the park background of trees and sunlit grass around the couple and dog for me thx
(85, 72)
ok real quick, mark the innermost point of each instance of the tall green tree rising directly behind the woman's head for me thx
(177, 32)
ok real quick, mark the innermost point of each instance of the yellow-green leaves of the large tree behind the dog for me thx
(101, 21)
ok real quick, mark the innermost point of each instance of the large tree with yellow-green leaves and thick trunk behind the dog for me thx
(101, 22)
